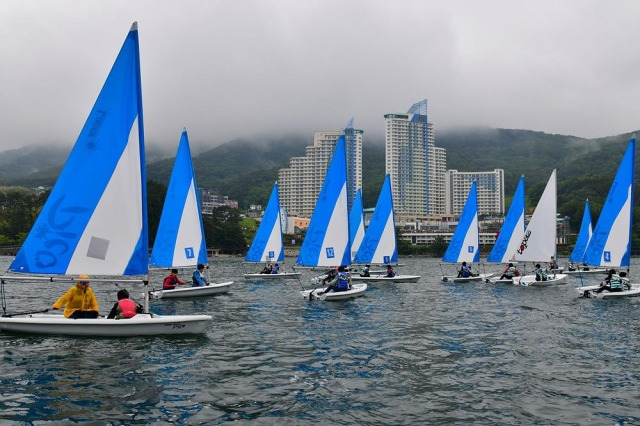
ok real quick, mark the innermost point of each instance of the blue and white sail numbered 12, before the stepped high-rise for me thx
(327, 241)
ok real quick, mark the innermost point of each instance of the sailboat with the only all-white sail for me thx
(538, 244)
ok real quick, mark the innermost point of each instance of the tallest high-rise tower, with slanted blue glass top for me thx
(417, 168)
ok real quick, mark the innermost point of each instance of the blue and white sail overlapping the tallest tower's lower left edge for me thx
(379, 243)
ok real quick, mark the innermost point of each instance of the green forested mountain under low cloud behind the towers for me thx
(245, 169)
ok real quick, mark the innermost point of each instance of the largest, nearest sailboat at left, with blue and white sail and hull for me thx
(95, 219)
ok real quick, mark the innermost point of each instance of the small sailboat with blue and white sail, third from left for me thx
(267, 245)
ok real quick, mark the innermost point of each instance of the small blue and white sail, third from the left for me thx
(261, 250)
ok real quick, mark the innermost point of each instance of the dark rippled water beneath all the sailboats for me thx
(424, 353)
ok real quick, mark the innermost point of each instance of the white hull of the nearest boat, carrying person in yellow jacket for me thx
(140, 325)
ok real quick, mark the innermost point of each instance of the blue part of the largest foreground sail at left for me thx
(49, 247)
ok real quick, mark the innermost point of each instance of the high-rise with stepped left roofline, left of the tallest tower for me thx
(301, 182)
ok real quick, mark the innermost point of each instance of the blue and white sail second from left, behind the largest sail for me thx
(180, 237)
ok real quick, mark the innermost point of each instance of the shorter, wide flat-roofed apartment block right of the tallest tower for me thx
(490, 191)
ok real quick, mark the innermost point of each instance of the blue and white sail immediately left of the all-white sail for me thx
(512, 229)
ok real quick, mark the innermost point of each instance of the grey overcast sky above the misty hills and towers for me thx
(233, 68)
